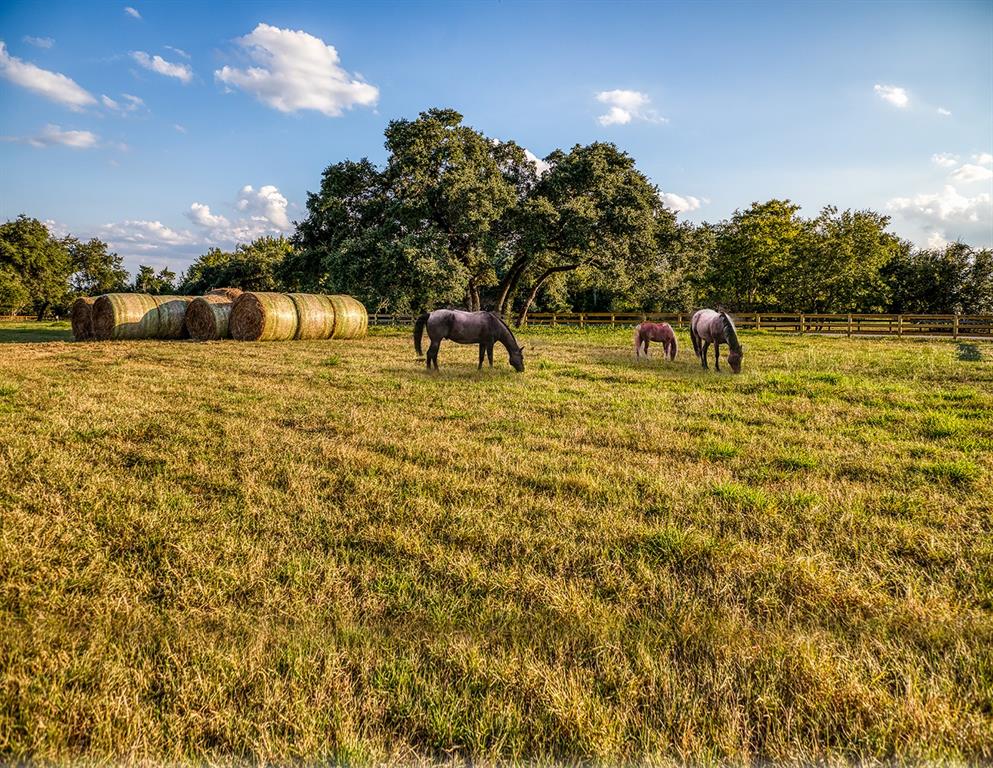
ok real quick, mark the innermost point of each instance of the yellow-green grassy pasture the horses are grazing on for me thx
(319, 551)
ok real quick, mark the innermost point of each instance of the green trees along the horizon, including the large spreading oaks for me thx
(456, 218)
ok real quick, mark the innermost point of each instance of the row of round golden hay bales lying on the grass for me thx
(224, 313)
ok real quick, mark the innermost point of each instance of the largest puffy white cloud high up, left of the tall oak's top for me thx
(296, 71)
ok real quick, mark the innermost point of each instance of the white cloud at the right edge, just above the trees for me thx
(949, 214)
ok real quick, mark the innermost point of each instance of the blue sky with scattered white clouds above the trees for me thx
(165, 128)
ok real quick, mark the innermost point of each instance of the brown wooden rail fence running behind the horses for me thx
(951, 326)
